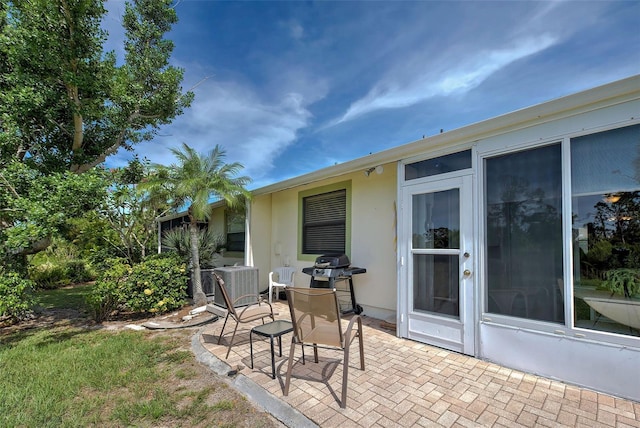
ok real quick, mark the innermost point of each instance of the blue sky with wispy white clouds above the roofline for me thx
(292, 87)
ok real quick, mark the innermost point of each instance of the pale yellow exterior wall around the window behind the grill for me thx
(275, 228)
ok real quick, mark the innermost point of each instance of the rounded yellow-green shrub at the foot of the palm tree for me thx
(156, 285)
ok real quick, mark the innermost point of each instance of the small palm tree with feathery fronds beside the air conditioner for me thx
(193, 182)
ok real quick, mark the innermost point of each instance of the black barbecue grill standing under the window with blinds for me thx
(332, 269)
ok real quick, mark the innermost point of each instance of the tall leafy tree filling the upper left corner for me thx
(65, 104)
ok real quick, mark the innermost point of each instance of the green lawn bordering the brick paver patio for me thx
(64, 376)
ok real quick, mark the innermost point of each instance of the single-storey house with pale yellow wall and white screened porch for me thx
(489, 240)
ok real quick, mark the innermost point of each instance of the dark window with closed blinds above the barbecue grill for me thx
(324, 223)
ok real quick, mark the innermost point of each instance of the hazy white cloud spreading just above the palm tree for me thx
(251, 131)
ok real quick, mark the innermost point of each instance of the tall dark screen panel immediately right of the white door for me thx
(524, 234)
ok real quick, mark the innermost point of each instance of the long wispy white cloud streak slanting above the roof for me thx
(404, 89)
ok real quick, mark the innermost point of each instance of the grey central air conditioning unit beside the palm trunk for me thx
(239, 280)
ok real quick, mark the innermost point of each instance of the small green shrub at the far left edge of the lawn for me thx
(16, 295)
